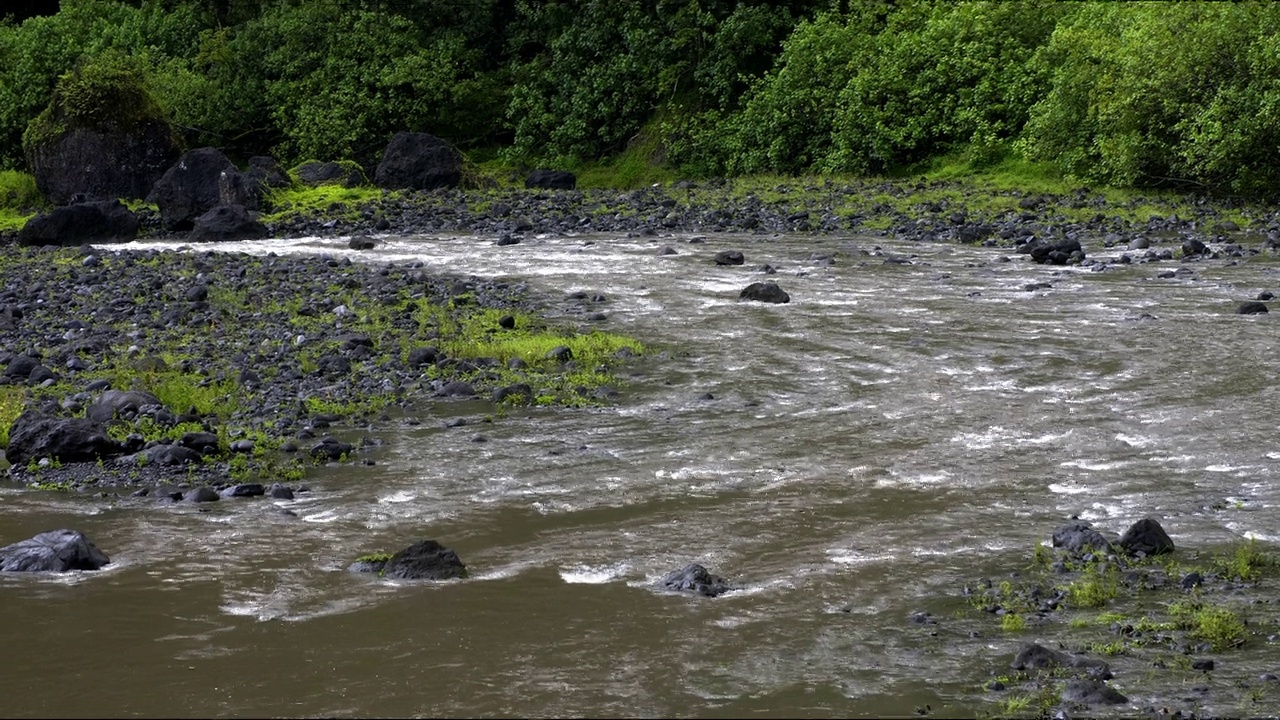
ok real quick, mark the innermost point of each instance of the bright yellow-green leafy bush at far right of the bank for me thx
(1185, 94)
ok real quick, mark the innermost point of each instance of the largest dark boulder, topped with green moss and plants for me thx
(103, 136)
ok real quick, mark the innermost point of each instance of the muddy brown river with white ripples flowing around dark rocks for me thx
(851, 458)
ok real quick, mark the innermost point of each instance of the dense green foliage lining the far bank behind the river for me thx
(1128, 94)
